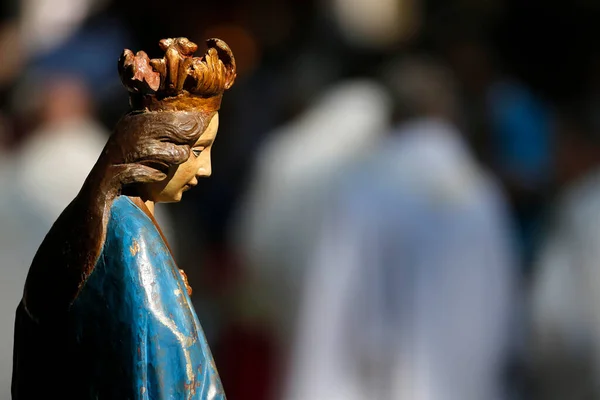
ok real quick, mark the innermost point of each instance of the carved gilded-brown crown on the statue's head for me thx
(178, 81)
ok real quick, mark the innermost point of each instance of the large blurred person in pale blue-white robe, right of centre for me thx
(408, 290)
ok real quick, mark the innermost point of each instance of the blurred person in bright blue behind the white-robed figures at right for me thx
(511, 128)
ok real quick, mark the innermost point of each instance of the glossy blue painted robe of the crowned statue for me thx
(132, 332)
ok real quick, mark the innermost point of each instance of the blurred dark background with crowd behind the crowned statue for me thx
(405, 201)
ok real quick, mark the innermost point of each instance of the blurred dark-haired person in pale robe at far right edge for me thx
(565, 336)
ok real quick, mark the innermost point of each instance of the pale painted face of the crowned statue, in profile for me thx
(185, 176)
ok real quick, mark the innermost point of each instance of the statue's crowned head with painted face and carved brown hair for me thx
(174, 103)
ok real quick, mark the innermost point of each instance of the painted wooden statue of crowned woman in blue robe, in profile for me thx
(106, 313)
